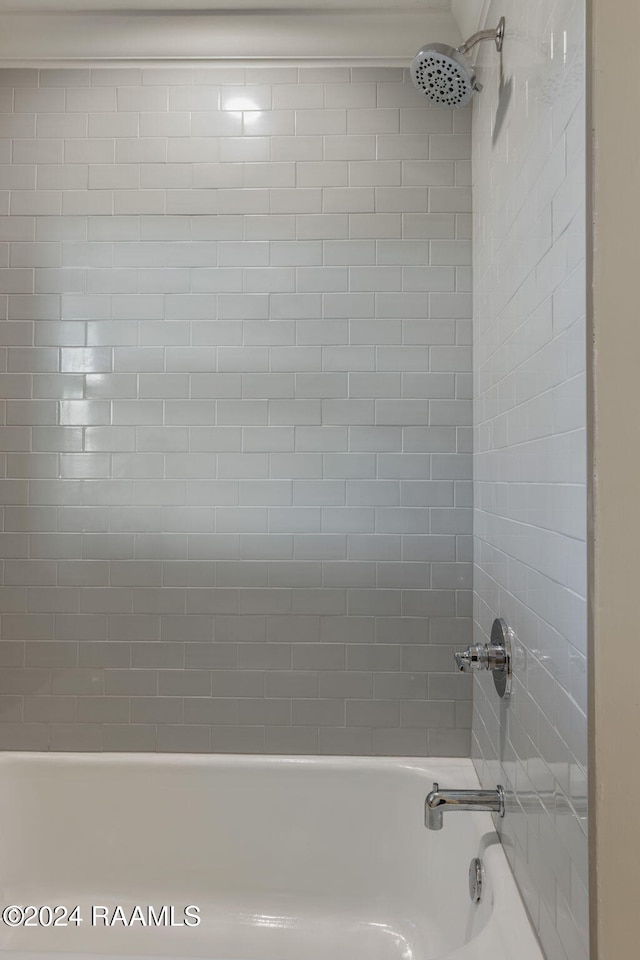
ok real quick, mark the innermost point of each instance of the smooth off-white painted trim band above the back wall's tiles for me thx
(379, 35)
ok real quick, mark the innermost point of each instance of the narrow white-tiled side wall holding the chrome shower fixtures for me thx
(529, 451)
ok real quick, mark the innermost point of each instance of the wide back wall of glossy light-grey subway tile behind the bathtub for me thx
(236, 439)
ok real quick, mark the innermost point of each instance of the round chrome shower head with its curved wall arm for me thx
(445, 75)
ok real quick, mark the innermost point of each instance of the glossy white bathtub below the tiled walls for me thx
(286, 858)
